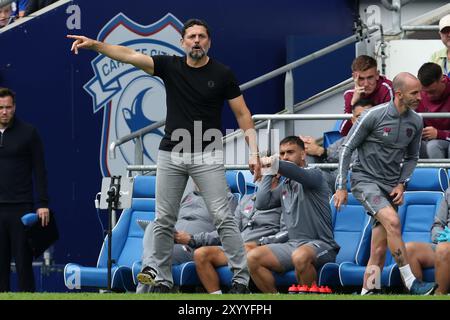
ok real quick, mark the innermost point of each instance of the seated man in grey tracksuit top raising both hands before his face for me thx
(304, 198)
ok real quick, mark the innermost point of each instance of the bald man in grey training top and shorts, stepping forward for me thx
(387, 138)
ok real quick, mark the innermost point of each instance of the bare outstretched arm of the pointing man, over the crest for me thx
(115, 52)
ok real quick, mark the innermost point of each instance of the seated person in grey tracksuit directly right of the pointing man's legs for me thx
(257, 227)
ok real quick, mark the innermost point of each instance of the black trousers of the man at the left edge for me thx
(14, 244)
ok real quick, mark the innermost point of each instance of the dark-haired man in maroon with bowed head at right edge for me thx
(435, 98)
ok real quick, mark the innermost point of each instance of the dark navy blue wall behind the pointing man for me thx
(56, 89)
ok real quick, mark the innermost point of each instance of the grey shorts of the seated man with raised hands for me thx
(283, 252)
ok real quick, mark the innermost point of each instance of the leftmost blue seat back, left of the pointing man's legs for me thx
(127, 235)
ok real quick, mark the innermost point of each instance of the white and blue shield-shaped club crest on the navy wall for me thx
(130, 98)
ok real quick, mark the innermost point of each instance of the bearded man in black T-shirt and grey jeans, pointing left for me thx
(196, 87)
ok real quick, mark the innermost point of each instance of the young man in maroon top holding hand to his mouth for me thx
(368, 84)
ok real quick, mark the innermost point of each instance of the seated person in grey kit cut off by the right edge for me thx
(436, 254)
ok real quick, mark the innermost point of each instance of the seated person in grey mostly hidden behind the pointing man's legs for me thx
(193, 218)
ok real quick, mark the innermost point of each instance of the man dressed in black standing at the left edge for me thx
(21, 158)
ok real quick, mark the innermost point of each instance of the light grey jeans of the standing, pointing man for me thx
(171, 178)
